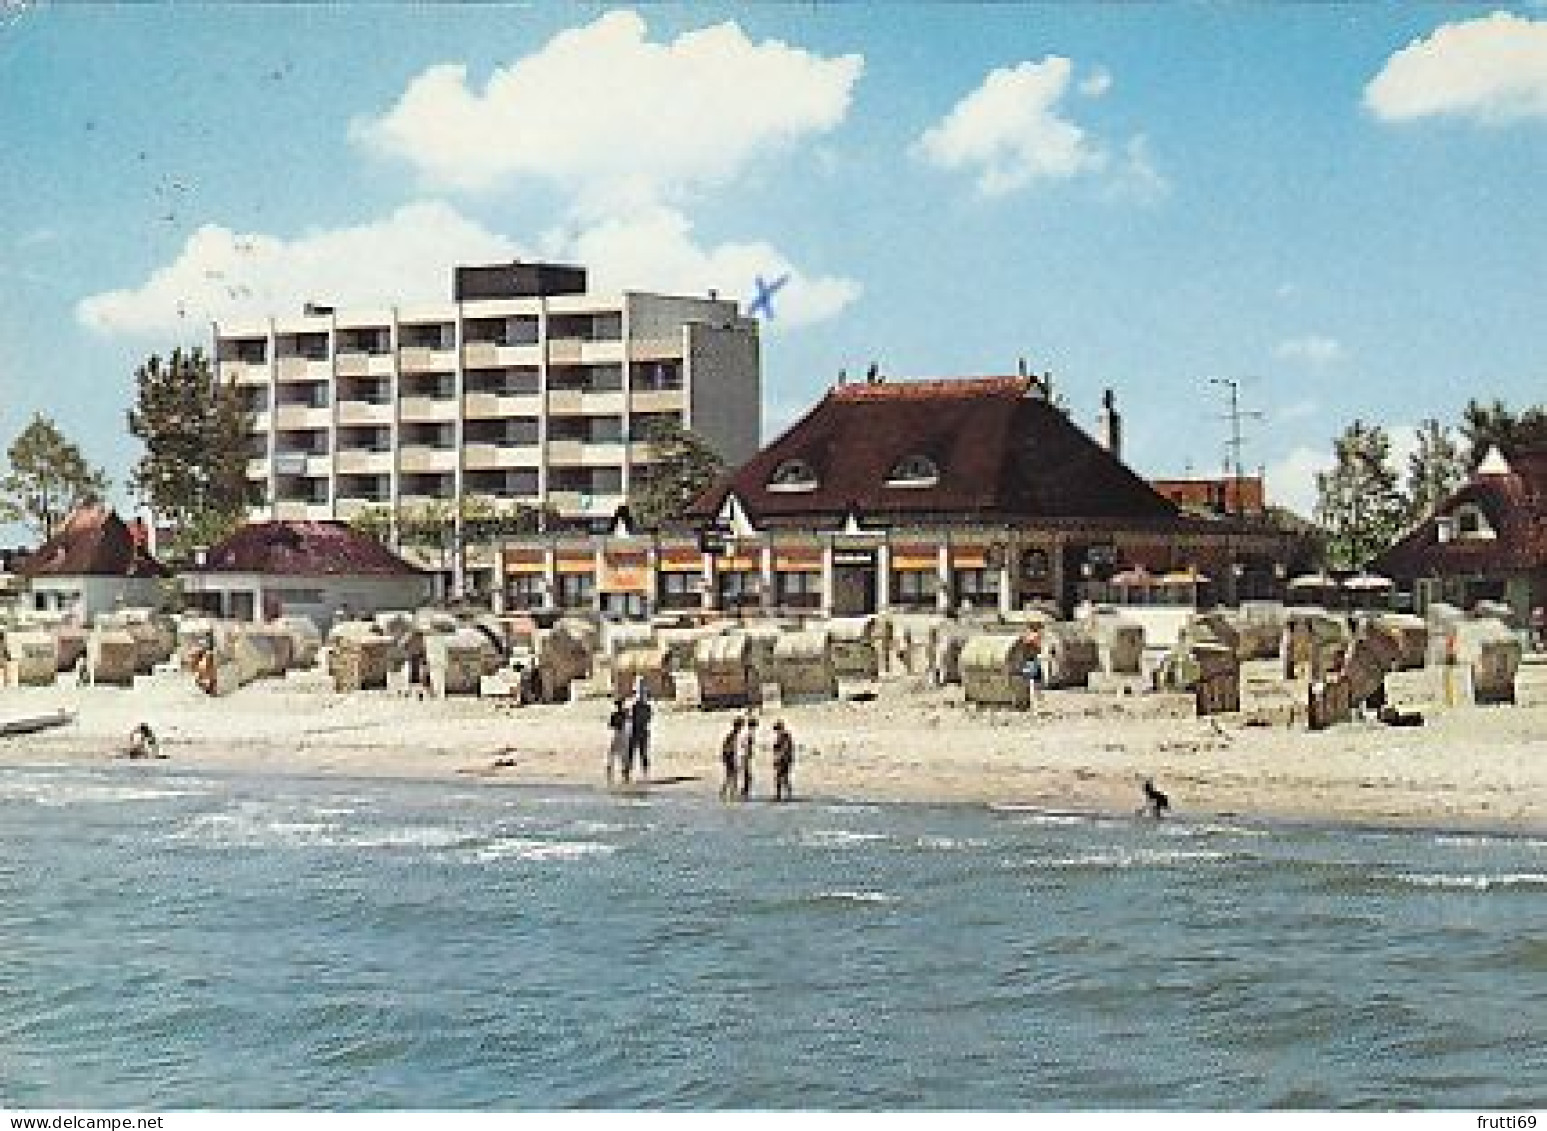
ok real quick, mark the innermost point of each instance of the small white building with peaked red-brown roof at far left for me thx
(94, 564)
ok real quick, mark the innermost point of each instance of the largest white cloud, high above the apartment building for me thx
(609, 114)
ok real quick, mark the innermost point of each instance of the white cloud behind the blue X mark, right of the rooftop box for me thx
(655, 250)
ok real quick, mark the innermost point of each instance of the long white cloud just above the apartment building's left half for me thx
(222, 275)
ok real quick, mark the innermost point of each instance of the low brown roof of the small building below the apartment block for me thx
(302, 550)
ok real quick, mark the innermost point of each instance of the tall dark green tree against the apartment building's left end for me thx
(196, 436)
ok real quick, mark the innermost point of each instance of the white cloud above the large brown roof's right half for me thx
(1011, 131)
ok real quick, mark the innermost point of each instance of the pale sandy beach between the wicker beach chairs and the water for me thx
(1082, 751)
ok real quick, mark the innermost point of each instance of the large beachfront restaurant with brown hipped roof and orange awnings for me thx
(923, 496)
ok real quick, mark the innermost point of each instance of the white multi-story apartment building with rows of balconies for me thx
(524, 391)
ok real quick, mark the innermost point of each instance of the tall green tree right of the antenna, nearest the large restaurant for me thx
(1359, 502)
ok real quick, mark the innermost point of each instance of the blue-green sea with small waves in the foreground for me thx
(194, 940)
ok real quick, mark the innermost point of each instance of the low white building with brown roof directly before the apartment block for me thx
(316, 570)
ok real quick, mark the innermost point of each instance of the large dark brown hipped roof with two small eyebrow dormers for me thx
(1002, 456)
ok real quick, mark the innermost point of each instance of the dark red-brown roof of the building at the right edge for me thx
(1515, 507)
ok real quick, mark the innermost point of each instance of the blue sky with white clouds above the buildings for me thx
(1339, 208)
